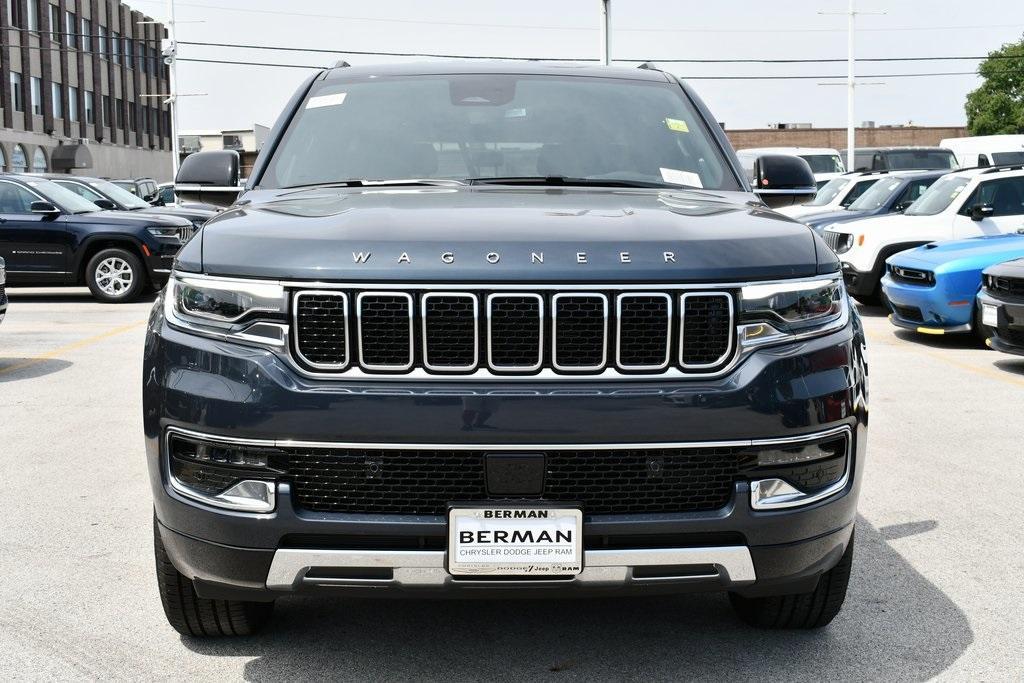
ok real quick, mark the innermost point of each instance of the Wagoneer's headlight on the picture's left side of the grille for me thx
(228, 309)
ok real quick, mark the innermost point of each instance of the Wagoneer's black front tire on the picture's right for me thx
(805, 611)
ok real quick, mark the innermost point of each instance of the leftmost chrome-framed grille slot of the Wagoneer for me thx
(322, 329)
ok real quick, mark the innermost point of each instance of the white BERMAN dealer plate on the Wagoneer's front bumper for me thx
(516, 541)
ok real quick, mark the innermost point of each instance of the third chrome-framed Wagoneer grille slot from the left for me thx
(450, 332)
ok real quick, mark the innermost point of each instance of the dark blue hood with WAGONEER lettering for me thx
(501, 234)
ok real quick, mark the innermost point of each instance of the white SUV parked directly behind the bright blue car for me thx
(963, 204)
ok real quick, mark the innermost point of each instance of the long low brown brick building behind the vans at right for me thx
(885, 137)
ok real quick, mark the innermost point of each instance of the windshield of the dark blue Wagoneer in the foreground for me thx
(499, 126)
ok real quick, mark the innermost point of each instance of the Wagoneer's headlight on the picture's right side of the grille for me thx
(776, 312)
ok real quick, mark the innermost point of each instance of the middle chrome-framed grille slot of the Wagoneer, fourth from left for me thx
(516, 332)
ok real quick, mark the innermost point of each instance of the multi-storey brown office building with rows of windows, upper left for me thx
(74, 80)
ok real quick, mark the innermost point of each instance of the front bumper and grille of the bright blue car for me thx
(930, 309)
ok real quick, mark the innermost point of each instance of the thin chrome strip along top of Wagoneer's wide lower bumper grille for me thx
(639, 446)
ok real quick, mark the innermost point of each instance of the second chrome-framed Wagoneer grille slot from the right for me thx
(645, 333)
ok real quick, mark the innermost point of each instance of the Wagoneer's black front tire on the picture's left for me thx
(202, 618)
